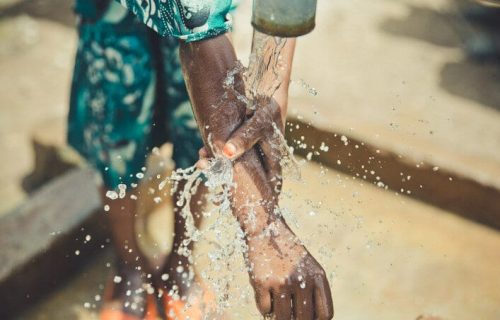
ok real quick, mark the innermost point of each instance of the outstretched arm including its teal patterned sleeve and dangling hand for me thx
(282, 271)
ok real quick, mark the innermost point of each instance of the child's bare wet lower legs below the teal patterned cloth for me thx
(129, 295)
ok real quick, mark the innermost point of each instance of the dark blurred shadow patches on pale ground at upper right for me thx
(467, 79)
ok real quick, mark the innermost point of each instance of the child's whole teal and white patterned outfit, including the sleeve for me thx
(128, 92)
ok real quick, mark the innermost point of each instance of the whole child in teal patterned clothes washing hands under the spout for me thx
(128, 96)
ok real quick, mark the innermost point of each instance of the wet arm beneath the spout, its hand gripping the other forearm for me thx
(264, 126)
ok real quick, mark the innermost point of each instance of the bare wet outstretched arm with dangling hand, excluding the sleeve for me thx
(287, 280)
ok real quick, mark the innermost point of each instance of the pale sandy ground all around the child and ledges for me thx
(391, 73)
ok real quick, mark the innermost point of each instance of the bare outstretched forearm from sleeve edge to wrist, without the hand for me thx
(205, 65)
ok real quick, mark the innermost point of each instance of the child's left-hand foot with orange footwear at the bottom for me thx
(129, 297)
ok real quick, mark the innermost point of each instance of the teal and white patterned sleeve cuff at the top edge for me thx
(189, 20)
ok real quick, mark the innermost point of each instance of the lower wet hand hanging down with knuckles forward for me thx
(287, 280)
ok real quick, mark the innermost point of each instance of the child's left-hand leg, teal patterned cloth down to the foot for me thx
(110, 120)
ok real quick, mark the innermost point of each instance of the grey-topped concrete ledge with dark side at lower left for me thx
(48, 238)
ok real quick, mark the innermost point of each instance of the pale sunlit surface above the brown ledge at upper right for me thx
(393, 74)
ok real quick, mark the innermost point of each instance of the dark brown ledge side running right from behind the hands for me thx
(437, 186)
